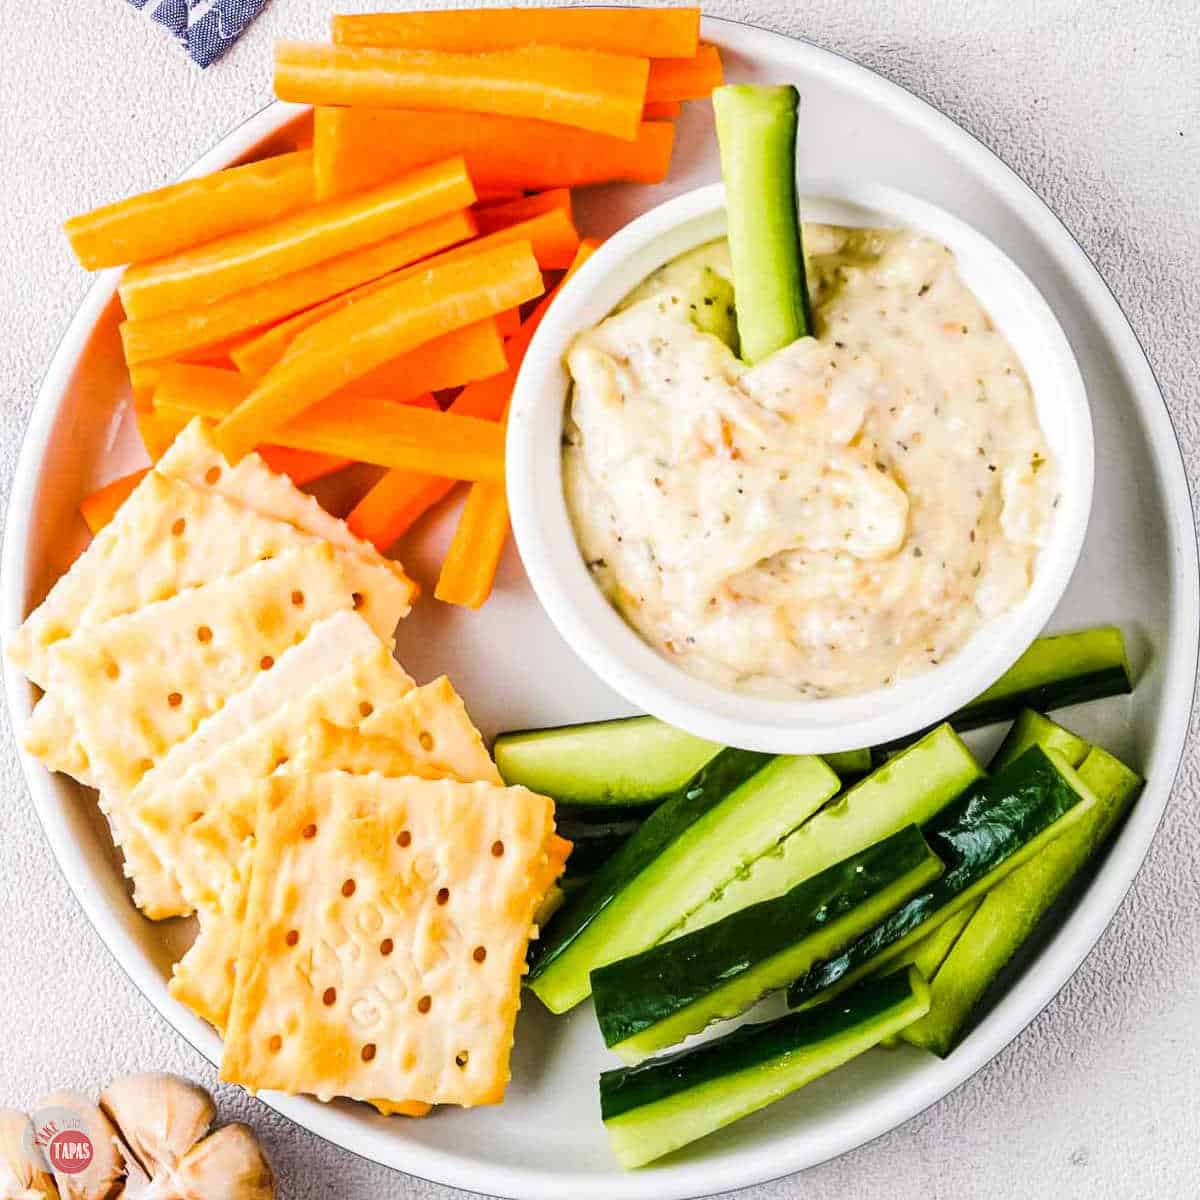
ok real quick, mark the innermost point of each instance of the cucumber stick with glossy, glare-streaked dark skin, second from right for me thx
(976, 837)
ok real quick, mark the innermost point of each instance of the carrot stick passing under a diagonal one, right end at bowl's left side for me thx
(364, 430)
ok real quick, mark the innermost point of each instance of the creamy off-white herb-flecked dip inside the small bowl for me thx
(842, 515)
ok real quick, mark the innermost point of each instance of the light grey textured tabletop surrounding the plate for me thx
(1094, 103)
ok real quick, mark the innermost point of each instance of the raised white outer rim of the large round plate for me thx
(1073, 941)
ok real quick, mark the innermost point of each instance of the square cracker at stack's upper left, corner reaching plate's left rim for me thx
(170, 537)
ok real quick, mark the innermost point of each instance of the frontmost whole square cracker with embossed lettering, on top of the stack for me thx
(386, 937)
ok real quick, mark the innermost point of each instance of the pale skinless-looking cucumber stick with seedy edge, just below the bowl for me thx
(910, 789)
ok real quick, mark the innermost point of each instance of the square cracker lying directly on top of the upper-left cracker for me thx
(139, 685)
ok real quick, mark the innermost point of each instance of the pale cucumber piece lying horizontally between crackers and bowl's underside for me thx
(610, 765)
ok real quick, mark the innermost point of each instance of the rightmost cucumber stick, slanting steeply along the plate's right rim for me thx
(1013, 909)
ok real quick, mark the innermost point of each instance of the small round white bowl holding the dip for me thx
(601, 637)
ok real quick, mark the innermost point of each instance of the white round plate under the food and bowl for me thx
(1138, 569)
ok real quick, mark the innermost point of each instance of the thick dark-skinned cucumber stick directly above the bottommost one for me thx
(662, 997)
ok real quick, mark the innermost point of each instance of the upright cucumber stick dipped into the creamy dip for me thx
(757, 133)
